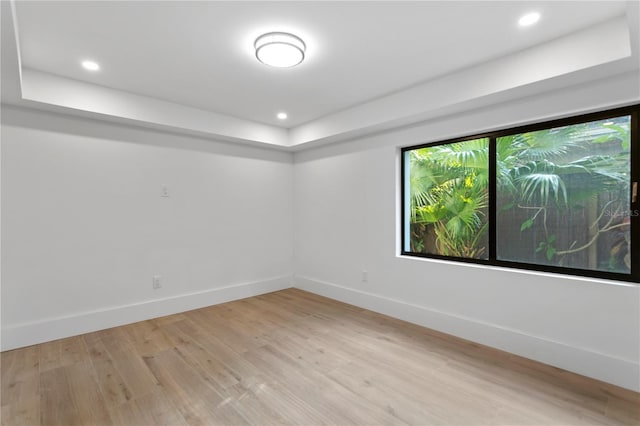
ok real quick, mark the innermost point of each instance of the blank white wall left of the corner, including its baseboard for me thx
(84, 227)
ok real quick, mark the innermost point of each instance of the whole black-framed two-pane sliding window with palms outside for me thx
(557, 196)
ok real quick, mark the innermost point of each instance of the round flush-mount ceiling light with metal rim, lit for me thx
(281, 50)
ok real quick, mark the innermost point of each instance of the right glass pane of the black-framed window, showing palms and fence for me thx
(563, 196)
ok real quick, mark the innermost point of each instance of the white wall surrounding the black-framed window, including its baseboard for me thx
(347, 220)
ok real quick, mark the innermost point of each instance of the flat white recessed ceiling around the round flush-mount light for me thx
(199, 54)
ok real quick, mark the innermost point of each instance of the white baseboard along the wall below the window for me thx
(620, 372)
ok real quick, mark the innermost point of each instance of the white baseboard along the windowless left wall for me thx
(26, 334)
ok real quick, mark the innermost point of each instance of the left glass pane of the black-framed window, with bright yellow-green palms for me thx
(449, 196)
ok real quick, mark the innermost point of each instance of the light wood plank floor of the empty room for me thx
(291, 357)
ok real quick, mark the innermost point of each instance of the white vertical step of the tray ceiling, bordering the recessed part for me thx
(607, 46)
